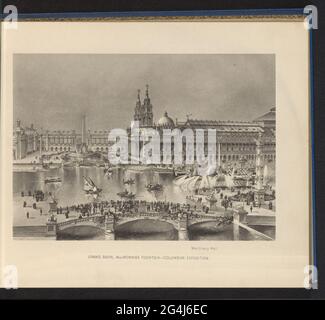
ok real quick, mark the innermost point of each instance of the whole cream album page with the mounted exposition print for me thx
(156, 152)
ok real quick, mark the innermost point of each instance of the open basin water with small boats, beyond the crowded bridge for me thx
(70, 191)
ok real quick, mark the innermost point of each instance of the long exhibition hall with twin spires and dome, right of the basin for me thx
(236, 140)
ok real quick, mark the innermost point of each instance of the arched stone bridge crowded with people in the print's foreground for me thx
(181, 217)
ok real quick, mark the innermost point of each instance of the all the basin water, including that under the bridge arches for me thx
(70, 192)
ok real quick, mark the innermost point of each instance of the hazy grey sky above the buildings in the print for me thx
(52, 91)
